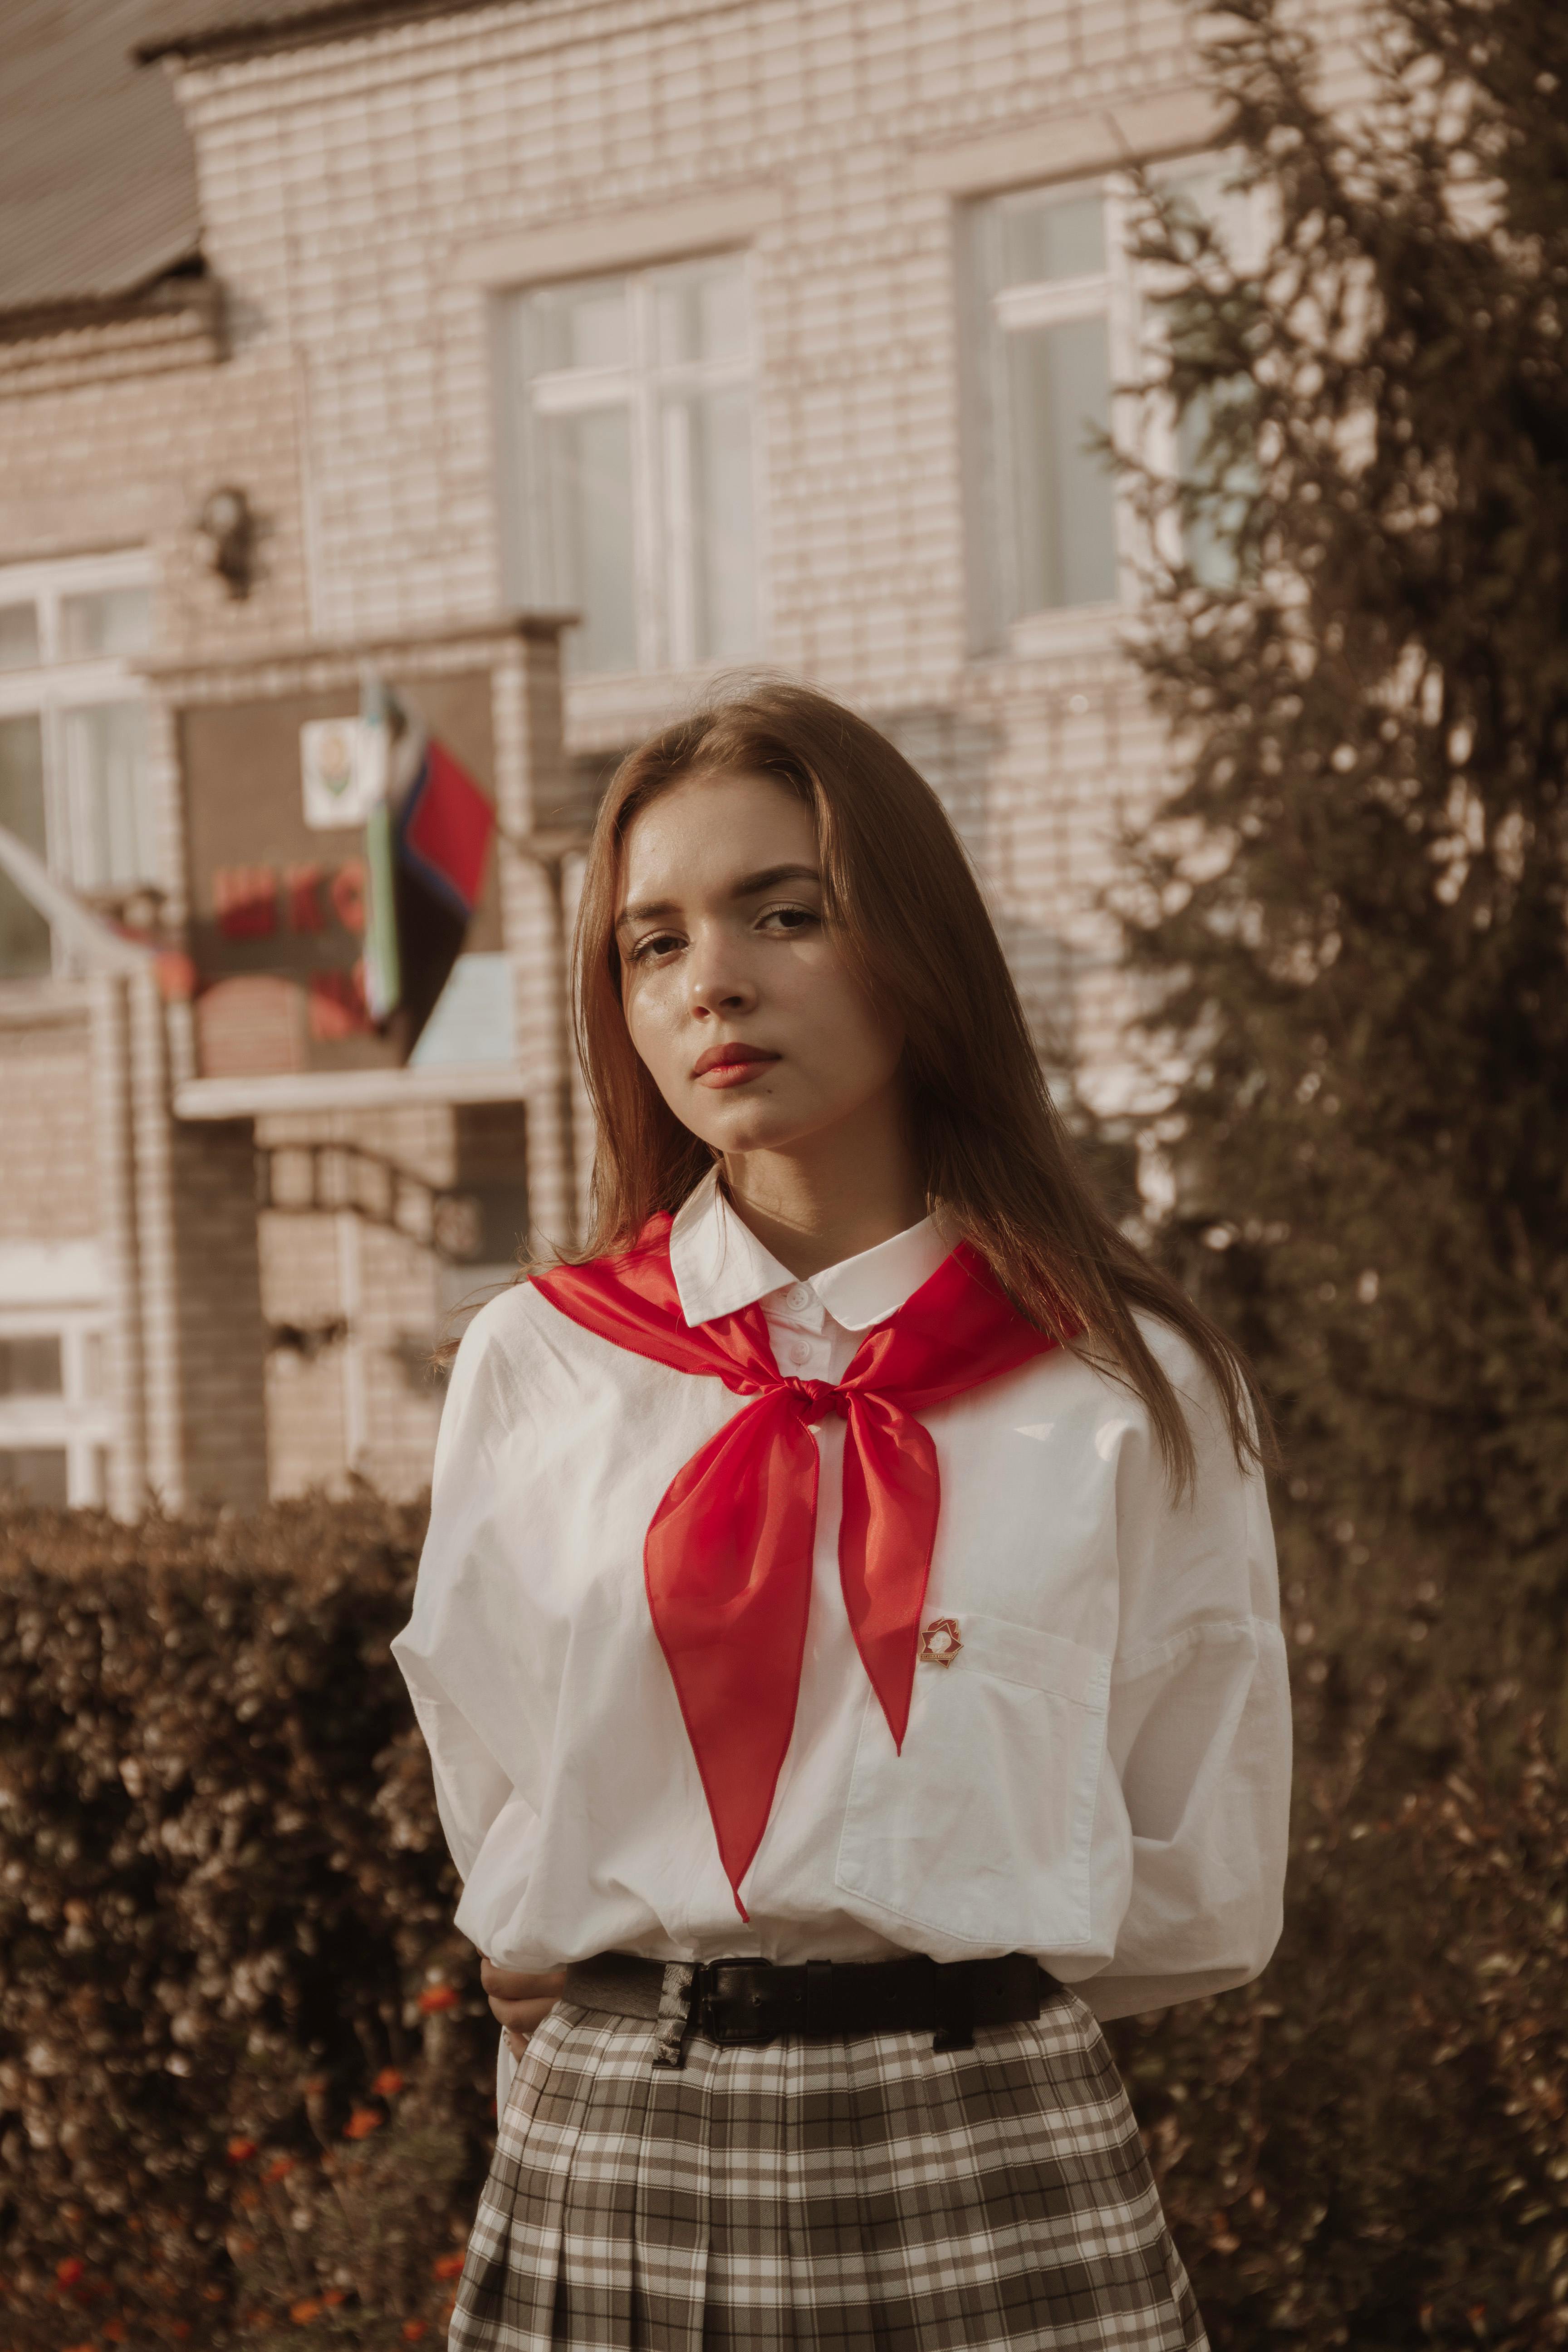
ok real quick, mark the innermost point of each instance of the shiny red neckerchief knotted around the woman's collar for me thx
(728, 1556)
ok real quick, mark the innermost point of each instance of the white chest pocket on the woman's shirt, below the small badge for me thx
(984, 1826)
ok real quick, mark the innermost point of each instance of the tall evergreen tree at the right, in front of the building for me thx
(1351, 911)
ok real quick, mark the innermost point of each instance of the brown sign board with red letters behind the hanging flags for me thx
(279, 893)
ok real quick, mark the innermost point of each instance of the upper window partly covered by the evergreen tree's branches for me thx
(1059, 323)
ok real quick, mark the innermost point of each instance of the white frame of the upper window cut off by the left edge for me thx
(53, 686)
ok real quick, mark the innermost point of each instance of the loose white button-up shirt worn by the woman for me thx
(1099, 1775)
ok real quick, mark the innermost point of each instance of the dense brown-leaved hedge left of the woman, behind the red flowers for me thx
(222, 1880)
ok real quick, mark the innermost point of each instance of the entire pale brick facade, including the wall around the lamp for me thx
(368, 199)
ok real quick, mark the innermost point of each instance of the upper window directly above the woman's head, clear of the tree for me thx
(629, 408)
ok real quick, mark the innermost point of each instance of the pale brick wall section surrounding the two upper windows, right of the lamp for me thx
(359, 194)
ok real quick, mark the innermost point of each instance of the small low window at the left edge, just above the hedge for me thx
(55, 1422)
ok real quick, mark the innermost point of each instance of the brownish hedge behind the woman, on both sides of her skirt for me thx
(248, 2073)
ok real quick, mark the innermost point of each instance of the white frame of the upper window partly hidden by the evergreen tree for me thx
(1120, 295)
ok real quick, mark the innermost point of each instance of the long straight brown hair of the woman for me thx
(911, 923)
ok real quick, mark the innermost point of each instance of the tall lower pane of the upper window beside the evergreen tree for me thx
(1064, 497)
